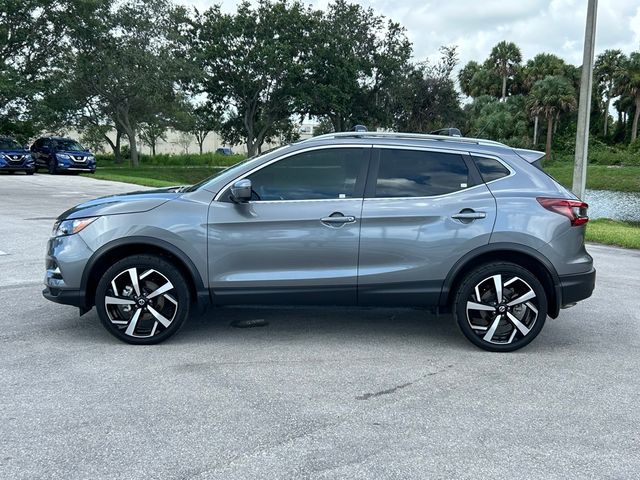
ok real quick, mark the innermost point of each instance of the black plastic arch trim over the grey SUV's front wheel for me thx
(116, 250)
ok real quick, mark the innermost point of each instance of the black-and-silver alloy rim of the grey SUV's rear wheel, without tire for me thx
(502, 309)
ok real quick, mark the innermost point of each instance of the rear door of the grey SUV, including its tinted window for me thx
(423, 210)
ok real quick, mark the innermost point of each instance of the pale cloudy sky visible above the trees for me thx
(552, 26)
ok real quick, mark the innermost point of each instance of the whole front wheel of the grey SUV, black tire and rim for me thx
(152, 273)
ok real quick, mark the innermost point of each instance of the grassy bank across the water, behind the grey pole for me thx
(599, 177)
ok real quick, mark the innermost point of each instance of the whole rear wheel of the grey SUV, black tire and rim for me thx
(518, 324)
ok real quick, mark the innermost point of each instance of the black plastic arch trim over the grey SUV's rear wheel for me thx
(521, 255)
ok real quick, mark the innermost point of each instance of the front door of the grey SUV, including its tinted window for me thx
(296, 241)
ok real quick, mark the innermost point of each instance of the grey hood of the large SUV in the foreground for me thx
(133, 202)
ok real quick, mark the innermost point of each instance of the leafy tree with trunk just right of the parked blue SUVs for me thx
(123, 62)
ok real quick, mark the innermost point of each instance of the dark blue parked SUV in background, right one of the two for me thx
(59, 154)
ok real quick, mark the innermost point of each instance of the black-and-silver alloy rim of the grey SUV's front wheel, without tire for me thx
(141, 303)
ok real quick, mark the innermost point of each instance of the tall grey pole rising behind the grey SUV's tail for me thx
(584, 105)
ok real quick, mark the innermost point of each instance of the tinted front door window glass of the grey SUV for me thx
(318, 174)
